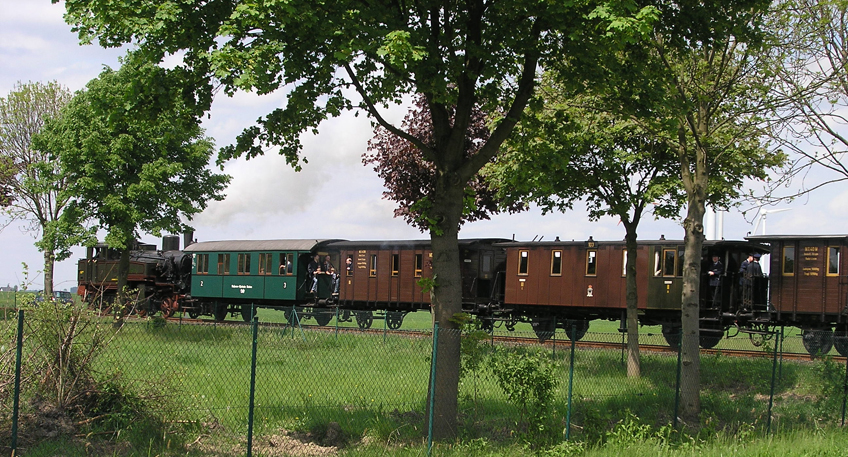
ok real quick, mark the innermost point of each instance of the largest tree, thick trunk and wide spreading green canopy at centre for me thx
(460, 56)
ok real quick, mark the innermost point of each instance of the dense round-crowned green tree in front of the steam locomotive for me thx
(134, 156)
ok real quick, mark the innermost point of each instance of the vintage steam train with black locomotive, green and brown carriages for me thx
(551, 284)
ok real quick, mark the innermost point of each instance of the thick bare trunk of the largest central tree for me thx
(447, 302)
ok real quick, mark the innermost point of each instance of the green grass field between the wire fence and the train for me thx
(374, 388)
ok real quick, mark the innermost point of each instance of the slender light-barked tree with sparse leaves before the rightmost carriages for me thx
(705, 95)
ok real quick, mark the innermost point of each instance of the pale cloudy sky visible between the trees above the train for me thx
(335, 195)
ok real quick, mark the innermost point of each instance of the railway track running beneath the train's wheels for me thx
(522, 340)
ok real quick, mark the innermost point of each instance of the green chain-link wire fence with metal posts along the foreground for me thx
(271, 389)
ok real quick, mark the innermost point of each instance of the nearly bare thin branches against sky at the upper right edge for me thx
(813, 82)
